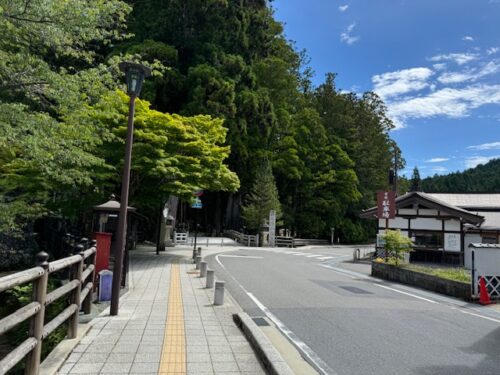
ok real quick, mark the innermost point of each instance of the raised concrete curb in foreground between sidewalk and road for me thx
(267, 354)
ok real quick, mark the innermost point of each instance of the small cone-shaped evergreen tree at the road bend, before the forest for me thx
(261, 200)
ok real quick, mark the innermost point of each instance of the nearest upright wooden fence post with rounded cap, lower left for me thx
(37, 321)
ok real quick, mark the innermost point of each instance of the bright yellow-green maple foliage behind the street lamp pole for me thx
(172, 154)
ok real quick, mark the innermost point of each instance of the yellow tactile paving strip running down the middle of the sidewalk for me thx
(173, 357)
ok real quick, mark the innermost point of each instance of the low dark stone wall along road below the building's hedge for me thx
(422, 280)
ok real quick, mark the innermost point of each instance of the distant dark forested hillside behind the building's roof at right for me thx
(485, 178)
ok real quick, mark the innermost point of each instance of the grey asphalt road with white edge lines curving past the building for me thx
(349, 323)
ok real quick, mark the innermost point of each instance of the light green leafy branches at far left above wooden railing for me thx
(48, 67)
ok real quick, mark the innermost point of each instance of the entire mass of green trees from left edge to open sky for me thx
(229, 97)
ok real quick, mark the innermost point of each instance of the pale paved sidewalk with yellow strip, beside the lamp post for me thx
(166, 325)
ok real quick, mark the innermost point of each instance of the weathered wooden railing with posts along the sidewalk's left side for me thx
(79, 288)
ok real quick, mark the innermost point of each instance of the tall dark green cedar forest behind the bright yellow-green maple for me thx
(329, 151)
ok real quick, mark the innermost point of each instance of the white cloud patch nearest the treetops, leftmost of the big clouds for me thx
(401, 81)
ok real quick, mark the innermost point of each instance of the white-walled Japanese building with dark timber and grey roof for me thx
(442, 226)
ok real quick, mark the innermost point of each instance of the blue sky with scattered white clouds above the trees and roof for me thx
(436, 64)
